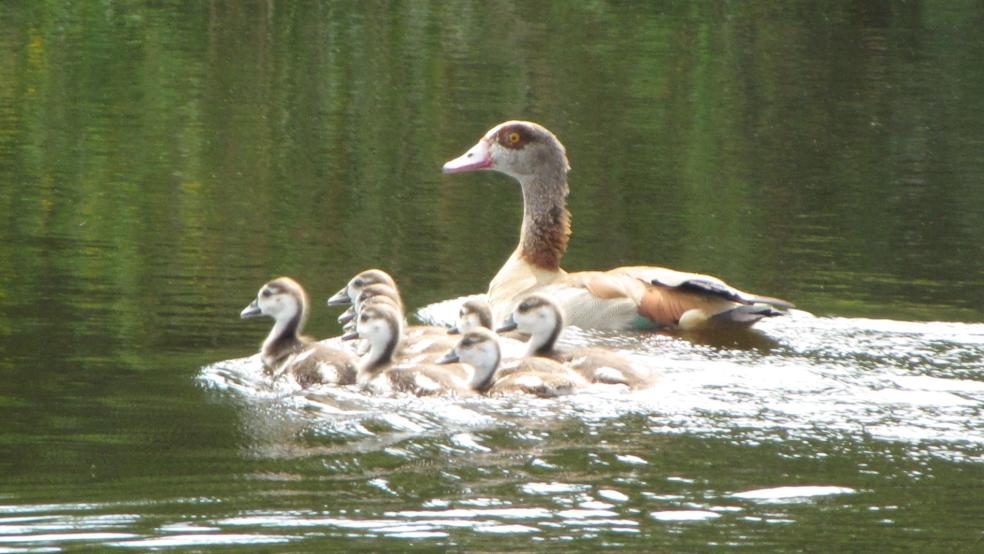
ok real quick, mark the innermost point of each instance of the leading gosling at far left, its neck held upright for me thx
(286, 351)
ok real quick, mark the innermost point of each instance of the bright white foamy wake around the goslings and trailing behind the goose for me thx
(813, 376)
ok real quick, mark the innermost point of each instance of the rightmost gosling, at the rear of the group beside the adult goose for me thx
(541, 319)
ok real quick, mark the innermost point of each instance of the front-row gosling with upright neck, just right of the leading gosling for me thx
(381, 371)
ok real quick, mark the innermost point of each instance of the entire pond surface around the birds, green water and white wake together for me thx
(160, 161)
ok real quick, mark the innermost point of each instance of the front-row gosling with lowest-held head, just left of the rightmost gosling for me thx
(542, 377)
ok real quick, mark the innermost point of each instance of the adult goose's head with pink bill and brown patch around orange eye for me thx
(520, 149)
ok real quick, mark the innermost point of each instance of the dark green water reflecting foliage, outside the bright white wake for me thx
(159, 161)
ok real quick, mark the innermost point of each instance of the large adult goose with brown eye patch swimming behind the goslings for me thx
(635, 297)
